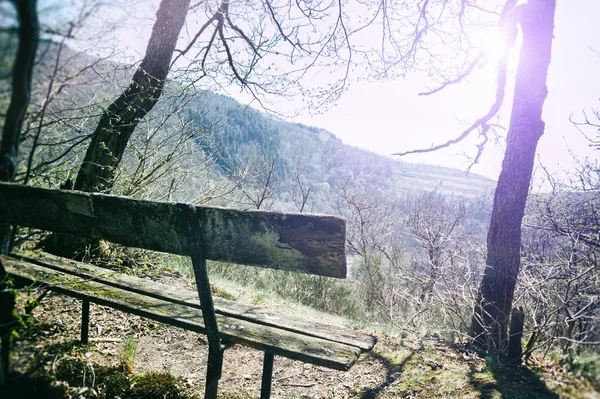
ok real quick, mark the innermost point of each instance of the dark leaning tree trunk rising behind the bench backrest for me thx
(121, 118)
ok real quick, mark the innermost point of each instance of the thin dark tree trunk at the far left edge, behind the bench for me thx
(21, 93)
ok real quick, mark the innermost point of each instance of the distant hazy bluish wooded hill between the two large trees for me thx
(323, 157)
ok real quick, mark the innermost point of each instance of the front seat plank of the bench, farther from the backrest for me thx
(277, 341)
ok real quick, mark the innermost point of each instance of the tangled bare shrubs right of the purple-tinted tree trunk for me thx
(561, 278)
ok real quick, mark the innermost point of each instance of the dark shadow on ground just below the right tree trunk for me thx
(514, 382)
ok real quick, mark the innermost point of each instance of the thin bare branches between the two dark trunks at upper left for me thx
(68, 89)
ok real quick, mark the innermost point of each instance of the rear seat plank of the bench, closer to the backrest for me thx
(190, 298)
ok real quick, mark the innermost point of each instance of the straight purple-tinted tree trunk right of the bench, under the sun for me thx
(491, 313)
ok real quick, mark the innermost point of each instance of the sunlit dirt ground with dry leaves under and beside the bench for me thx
(402, 365)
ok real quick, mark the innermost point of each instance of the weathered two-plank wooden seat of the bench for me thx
(294, 338)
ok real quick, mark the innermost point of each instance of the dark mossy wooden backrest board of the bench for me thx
(311, 244)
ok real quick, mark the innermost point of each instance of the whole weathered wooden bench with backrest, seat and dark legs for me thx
(294, 242)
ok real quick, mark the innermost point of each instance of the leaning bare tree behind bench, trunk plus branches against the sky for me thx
(237, 42)
